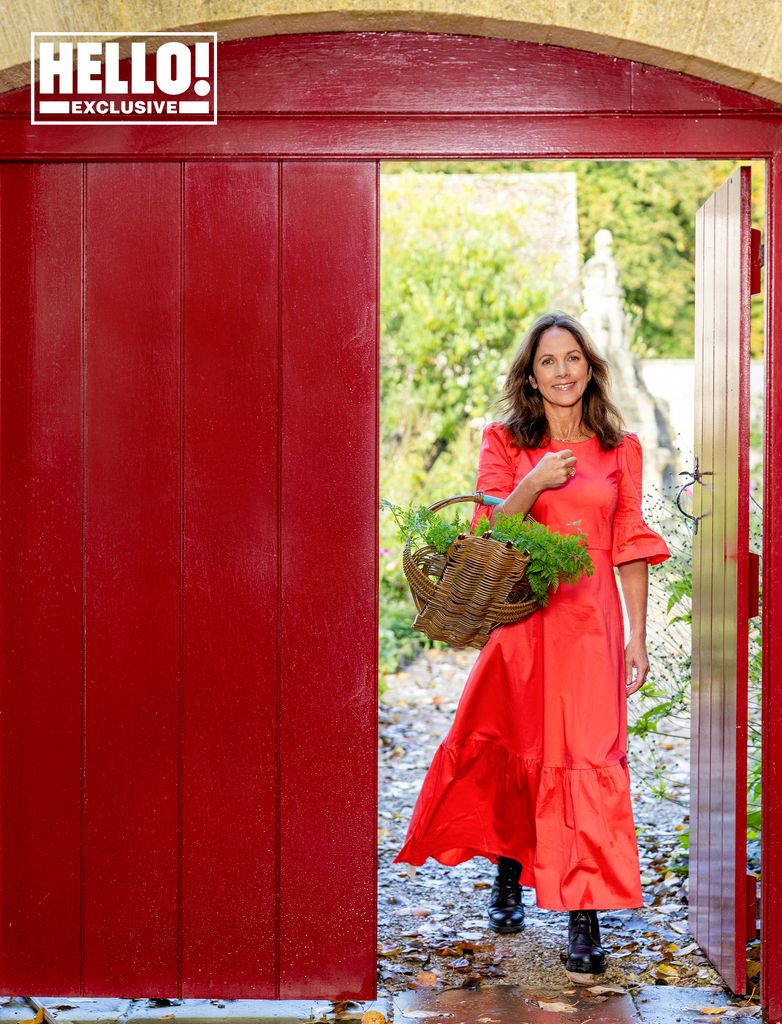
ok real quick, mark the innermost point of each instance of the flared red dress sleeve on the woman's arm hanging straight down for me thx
(632, 538)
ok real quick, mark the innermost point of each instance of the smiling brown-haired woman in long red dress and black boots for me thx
(533, 774)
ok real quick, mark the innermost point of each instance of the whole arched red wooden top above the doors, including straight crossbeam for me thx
(420, 95)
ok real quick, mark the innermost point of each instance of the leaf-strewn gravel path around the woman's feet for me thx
(432, 928)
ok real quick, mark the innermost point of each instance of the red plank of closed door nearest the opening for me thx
(328, 780)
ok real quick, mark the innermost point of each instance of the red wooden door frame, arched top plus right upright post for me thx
(410, 96)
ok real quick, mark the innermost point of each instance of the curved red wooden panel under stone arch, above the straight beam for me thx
(423, 73)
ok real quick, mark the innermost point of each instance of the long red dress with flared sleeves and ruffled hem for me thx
(535, 764)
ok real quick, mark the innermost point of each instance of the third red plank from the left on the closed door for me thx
(231, 553)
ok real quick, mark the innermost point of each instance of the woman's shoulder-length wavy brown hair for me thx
(526, 417)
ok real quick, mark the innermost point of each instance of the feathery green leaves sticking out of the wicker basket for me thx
(555, 559)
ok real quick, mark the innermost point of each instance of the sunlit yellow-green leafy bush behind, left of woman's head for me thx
(456, 295)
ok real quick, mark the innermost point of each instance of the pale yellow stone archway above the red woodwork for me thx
(701, 38)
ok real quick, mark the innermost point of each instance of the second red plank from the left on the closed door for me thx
(134, 578)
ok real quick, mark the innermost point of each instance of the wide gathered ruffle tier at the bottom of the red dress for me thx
(489, 802)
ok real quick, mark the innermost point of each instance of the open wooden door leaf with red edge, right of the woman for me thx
(718, 906)
